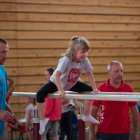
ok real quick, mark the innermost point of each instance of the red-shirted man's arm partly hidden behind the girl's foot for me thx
(94, 111)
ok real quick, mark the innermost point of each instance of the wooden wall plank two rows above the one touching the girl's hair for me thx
(46, 17)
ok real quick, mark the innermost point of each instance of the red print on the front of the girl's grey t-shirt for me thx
(74, 75)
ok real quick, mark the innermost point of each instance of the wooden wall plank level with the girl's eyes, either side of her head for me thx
(93, 52)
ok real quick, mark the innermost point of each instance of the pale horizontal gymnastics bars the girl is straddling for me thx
(108, 96)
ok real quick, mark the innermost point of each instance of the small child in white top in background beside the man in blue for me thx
(29, 115)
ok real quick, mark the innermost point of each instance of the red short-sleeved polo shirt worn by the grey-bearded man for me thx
(114, 116)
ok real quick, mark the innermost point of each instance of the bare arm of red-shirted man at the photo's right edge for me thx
(135, 120)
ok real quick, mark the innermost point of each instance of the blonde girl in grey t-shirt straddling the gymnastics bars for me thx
(66, 77)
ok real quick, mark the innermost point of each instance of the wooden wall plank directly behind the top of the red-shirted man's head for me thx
(94, 61)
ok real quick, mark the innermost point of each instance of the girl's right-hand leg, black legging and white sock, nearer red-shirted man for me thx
(81, 87)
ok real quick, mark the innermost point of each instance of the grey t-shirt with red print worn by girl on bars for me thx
(71, 71)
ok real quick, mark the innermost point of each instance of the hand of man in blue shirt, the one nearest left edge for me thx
(6, 116)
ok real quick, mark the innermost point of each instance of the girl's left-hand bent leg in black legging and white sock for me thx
(41, 94)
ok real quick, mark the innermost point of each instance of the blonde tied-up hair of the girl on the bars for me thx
(75, 45)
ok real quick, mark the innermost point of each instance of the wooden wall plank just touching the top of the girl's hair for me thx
(68, 35)
